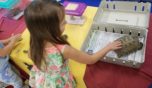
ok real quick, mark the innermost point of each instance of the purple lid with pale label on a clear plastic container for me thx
(74, 8)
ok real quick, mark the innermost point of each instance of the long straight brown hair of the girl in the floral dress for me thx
(43, 20)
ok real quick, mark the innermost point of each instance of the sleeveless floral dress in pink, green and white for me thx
(56, 75)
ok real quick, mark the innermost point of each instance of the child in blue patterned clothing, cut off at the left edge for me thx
(7, 75)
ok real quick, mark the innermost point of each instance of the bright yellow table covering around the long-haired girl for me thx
(76, 36)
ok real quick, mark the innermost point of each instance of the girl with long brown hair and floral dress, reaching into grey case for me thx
(49, 51)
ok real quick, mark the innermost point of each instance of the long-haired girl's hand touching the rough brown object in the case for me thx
(114, 45)
